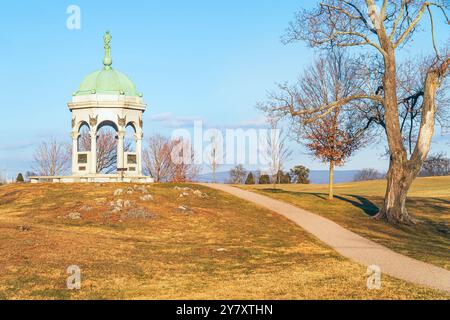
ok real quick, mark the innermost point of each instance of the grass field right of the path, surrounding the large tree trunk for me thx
(356, 203)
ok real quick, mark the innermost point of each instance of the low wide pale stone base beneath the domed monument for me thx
(107, 178)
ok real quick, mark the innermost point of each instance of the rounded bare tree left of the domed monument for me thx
(52, 158)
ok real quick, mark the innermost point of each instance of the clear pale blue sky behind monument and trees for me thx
(199, 59)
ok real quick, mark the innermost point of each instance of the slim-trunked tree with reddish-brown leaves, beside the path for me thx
(335, 136)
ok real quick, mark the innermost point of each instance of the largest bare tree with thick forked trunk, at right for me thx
(358, 23)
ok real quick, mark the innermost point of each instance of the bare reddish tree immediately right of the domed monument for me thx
(157, 158)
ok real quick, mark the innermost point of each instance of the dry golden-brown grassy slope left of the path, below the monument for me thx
(173, 255)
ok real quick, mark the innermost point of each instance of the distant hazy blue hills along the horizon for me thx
(316, 176)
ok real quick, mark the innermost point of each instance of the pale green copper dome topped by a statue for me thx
(107, 80)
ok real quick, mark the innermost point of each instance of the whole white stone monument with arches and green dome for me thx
(105, 98)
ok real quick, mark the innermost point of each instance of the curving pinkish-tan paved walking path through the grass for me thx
(349, 244)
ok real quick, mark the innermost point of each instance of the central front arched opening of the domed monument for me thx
(107, 148)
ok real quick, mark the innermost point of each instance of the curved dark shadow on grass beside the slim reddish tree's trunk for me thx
(362, 203)
